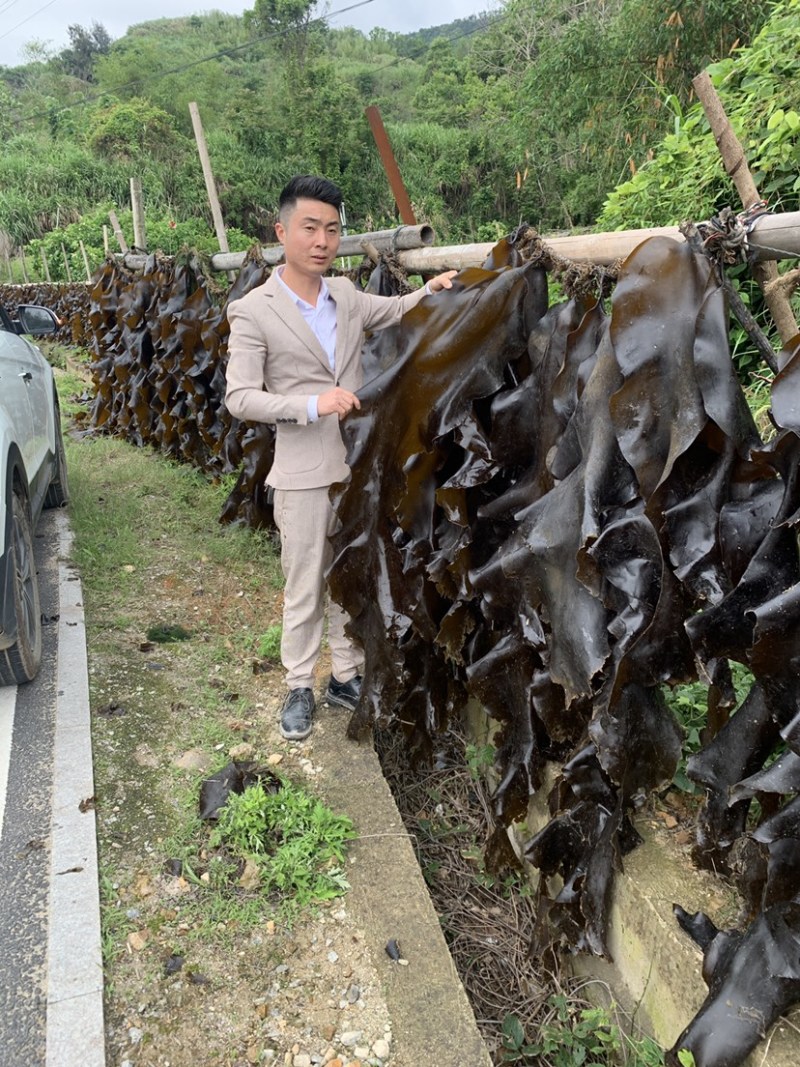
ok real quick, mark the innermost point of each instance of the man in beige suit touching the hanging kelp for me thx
(295, 360)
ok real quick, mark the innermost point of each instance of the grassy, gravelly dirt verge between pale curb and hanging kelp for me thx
(198, 976)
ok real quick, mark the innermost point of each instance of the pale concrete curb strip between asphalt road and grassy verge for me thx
(75, 1021)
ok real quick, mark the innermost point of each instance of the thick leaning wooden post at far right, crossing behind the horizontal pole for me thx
(737, 167)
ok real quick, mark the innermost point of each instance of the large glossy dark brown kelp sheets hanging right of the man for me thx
(557, 514)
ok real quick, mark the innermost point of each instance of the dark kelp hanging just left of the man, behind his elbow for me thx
(159, 341)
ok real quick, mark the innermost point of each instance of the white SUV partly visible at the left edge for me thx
(33, 476)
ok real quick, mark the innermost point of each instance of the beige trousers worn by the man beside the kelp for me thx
(306, 521)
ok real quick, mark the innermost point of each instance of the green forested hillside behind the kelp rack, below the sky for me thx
(534, 113)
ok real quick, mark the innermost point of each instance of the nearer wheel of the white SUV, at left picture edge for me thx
(21, 663)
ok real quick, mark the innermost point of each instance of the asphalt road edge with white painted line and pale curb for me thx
(51, 964)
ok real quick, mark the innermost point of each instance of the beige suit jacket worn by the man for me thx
(277, 363)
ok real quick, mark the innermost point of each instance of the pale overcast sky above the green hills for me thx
(47, 21)
